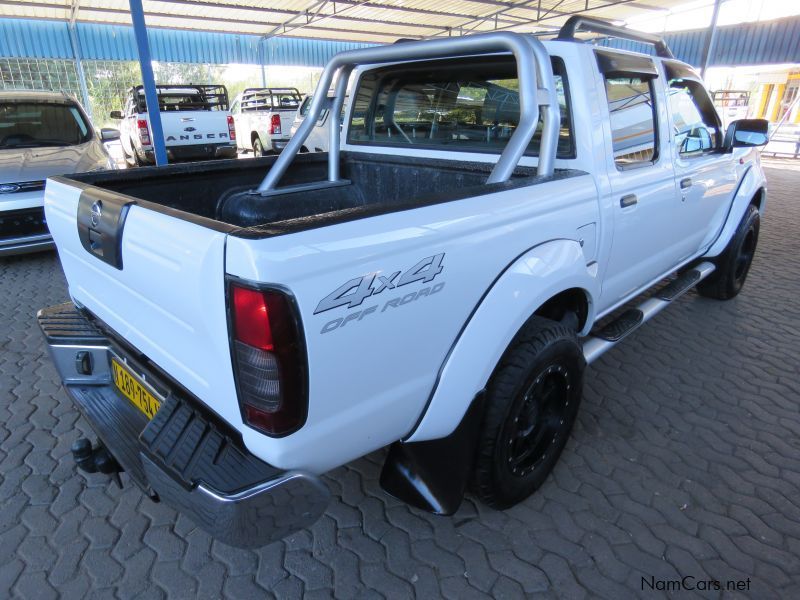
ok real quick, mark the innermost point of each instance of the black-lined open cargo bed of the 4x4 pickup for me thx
(377, 185)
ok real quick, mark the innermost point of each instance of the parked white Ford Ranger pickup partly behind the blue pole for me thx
(195, 118)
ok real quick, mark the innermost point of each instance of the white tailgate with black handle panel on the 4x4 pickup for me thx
(156, 280)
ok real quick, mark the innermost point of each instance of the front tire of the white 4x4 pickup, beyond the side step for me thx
(733, 264)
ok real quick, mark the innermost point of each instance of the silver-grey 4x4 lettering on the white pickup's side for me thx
(354, 292)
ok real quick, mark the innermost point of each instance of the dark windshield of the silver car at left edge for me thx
(36, 124)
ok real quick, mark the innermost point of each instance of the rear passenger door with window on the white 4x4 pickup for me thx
(644, 202)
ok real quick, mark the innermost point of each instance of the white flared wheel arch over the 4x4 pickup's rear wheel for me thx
(522, 287)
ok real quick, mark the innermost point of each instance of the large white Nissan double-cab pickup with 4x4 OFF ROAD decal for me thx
(436, 283)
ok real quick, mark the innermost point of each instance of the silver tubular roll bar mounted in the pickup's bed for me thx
(536, 88)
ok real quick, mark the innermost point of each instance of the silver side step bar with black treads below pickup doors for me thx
(599, 342)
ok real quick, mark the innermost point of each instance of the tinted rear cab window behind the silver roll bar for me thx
(459, 105)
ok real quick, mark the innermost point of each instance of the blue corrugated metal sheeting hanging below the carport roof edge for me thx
(769, 42)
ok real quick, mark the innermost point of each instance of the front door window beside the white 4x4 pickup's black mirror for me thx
(694, 119)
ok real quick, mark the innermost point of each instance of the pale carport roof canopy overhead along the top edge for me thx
(378, 21)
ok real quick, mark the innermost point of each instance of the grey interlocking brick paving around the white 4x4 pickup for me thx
(685, 462)
